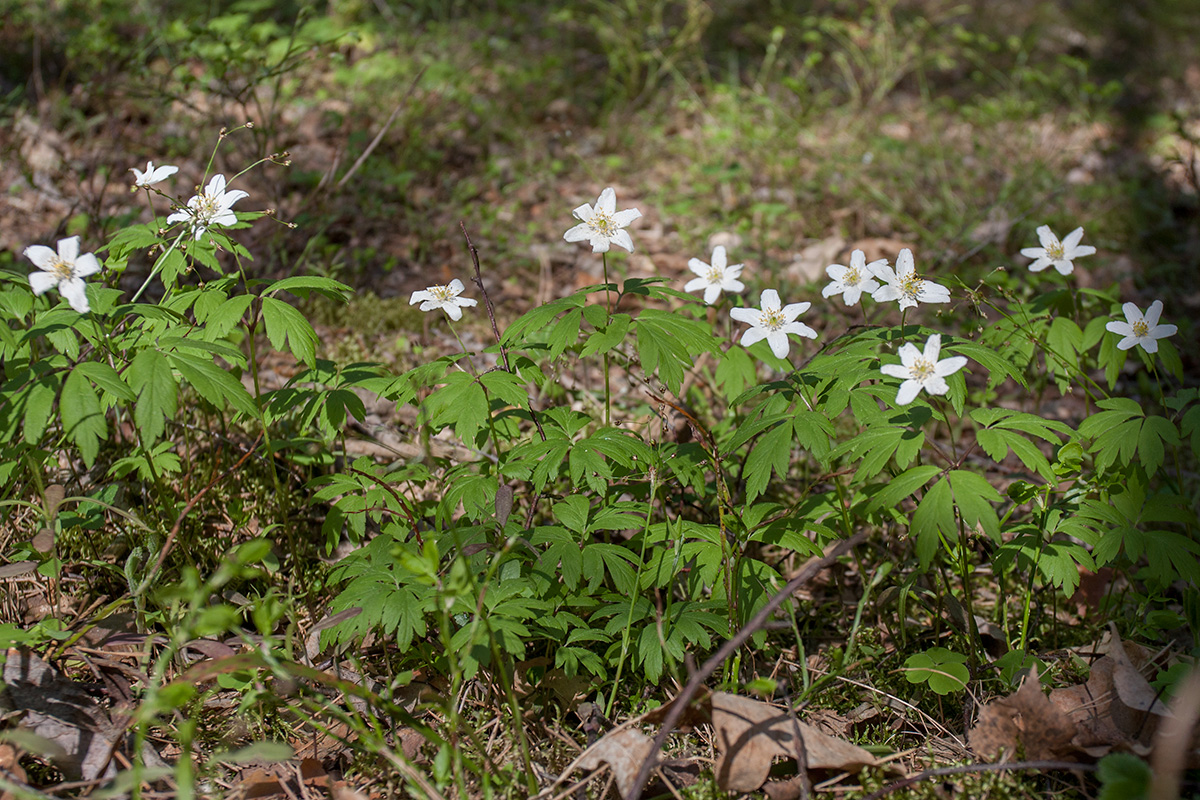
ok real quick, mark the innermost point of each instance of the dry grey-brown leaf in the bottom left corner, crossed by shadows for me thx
(62, 712)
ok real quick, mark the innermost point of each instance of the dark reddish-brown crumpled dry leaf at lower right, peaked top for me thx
(1025, 720)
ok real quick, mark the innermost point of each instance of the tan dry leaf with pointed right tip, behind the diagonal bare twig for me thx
(749, 735)
